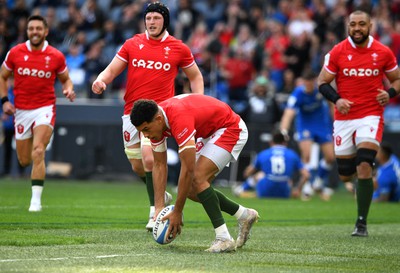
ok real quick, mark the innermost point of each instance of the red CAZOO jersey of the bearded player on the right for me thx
(359, 73)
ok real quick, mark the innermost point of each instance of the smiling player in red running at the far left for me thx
(35, 66)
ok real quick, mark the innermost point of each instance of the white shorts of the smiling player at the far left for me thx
(26, 120)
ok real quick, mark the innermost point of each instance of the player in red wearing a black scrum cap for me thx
(153, 60)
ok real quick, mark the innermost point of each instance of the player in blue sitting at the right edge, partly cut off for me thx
(387, 180)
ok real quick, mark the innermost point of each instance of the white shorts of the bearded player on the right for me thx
(347, 134)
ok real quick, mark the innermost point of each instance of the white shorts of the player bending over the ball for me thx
(220, 156)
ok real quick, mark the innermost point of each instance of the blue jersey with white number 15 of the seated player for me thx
(279, 164)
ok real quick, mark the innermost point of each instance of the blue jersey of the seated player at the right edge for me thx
(388, 179)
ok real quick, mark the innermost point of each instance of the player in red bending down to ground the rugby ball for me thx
(210, 136)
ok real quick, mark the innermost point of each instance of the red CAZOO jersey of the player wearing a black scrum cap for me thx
(152, 67)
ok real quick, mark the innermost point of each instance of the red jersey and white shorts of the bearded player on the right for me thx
(359, 71)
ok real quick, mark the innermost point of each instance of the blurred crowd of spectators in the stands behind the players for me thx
(239, 45)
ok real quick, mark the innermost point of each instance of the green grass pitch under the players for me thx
(95, 226)
